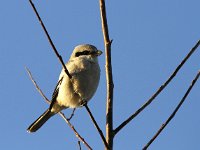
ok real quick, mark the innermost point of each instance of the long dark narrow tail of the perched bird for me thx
(40, 121)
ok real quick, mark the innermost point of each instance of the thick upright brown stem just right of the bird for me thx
(109, 78)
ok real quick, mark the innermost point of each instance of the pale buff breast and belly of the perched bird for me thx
(82, 86)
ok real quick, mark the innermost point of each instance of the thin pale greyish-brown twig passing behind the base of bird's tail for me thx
(60, 113)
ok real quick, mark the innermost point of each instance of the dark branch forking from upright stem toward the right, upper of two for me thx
(158, 91)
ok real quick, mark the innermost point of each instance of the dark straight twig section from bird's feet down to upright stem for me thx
(96, 125)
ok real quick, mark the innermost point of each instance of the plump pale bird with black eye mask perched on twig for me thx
(76, 91)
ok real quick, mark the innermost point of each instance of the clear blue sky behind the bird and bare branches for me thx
(150, 38)
